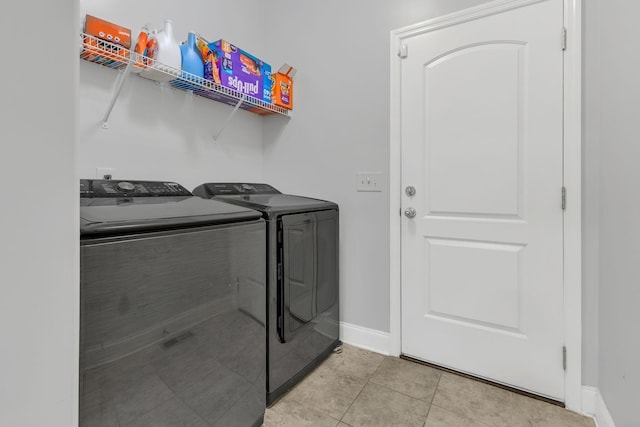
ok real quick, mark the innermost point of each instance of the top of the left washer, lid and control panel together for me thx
(112, 207)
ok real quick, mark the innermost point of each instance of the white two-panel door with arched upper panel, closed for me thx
(482, 135)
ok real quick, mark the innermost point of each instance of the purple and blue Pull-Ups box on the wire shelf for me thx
(242, 71)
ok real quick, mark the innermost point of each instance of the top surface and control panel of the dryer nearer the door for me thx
(261, 197)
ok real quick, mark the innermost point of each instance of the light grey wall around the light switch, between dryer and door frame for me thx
(341, 126)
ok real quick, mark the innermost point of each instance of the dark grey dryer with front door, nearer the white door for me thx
(302, 277)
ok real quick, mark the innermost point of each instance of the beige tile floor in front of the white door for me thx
(360, 388)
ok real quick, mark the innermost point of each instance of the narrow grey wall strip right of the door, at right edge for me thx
(619, 201)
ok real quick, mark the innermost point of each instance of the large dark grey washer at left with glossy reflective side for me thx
(166, 330)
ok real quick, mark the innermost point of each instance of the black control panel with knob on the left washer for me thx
(113, 188)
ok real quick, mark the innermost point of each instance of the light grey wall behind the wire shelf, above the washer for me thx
(161, 133)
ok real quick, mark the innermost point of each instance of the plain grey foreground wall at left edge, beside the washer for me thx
(38, 219)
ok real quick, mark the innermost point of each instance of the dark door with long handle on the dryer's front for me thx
(308, 268)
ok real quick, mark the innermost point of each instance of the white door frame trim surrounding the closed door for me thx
(572, 177)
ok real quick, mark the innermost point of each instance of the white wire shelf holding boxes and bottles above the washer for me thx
(118, 57)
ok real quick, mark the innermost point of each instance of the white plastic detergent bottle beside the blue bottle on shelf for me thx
(168, 55)
